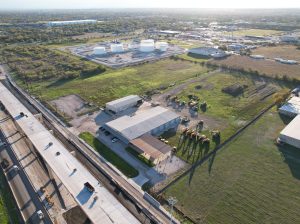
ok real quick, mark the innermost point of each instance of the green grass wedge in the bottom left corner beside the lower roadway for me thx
(8, 211)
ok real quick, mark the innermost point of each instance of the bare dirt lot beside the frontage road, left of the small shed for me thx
(71, 105)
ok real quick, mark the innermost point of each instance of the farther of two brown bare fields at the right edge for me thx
(283, 51)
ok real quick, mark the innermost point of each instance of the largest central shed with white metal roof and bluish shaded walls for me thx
(154, 121)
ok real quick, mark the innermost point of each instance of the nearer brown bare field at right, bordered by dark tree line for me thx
(268, 67)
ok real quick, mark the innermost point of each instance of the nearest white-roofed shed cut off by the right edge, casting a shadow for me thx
(291, 133)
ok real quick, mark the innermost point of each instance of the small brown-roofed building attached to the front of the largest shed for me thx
(151, 148)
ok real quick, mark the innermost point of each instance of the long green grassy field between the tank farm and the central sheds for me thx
(114, 84)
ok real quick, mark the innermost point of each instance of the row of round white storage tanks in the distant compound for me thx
(145, 46)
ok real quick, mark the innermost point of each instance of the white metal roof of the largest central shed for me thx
(141, 123)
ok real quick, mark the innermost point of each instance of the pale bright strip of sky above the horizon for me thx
(93, 4)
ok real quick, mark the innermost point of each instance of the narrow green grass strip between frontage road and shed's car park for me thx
(109, 155)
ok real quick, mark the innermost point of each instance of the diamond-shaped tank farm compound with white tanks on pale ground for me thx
(118, 54)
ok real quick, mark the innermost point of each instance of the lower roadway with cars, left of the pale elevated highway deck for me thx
(24, 194)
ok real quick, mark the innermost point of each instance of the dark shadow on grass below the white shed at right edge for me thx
(291, 157)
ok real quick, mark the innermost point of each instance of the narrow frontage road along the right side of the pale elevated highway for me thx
(98, 167)
